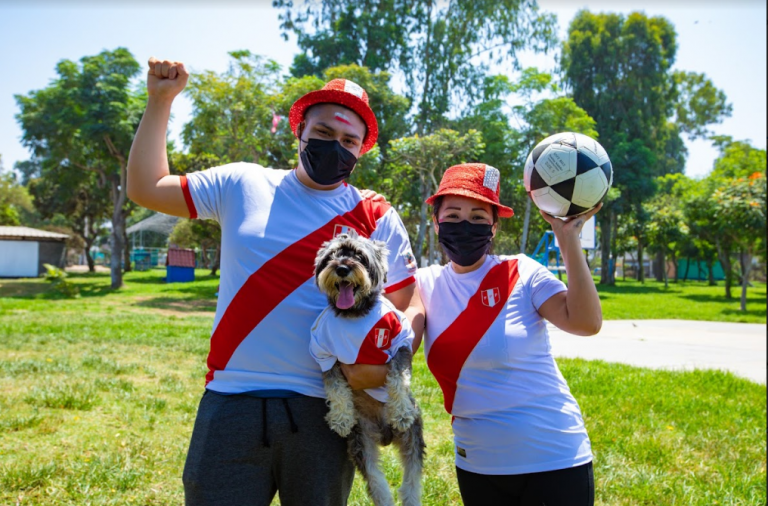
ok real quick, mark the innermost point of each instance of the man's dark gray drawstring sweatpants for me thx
(245, 449)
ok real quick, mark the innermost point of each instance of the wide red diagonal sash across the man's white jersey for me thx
(278, 278)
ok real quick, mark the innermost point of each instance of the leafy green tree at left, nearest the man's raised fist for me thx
(85, 120)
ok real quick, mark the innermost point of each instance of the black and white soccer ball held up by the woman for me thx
(567, 174)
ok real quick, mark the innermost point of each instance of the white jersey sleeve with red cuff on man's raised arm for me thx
(207, 190)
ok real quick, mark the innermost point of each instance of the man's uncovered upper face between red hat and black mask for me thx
(333, 122)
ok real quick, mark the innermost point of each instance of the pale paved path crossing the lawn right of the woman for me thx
(672, 344)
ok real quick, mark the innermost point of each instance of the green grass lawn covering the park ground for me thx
(99, 396)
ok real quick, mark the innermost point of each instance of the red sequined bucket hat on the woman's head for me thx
(476, 181)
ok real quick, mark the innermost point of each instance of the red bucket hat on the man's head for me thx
(342, 92)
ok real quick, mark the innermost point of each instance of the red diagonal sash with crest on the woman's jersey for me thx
(451, 348)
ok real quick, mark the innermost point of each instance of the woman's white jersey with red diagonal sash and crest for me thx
(489, 350)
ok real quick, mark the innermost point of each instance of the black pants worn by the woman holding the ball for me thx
(566, 487)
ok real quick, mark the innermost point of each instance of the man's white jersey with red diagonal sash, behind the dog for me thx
(271, 229)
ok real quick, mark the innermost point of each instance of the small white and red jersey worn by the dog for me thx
(370, 339)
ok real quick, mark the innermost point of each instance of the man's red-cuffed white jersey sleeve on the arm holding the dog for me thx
(402, 263)
